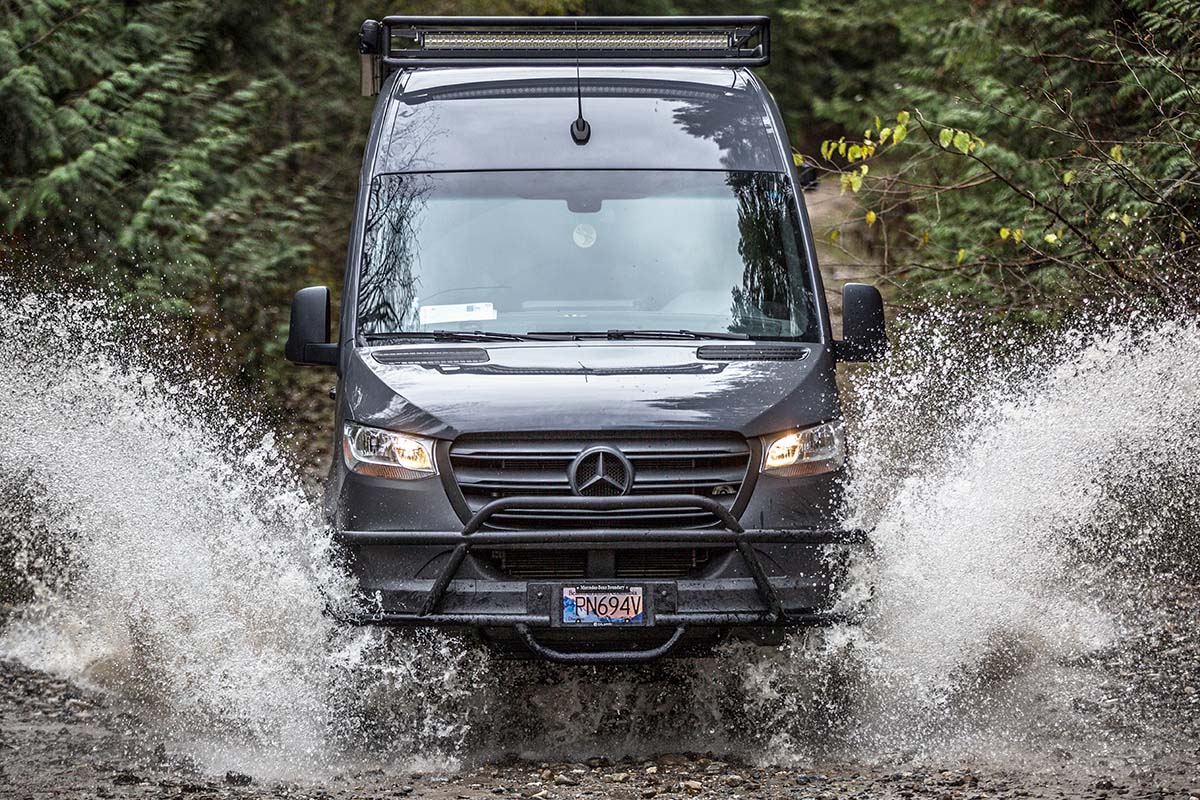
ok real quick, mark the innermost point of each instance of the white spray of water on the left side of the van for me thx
(199, 567)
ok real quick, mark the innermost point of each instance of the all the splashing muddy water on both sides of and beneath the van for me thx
(1033, 504)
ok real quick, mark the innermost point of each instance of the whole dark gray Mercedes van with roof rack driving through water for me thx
(586, 398)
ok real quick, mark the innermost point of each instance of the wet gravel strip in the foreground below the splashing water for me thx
(58, 741)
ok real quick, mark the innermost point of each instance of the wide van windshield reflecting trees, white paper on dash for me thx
(573, 251)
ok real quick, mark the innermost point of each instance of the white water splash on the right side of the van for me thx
(1022, 498)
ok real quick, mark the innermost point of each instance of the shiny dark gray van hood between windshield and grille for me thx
(455, 389)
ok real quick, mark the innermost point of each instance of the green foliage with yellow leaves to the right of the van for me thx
(1052, 153)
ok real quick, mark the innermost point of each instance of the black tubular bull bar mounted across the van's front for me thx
(472, 536)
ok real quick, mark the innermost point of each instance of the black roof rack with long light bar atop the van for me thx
(398, 43)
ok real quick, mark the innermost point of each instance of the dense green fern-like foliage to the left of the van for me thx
(140, 163)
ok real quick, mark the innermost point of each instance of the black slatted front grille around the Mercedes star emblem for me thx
(491, 467)
